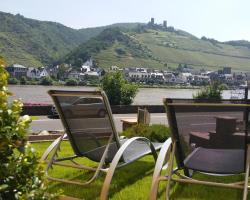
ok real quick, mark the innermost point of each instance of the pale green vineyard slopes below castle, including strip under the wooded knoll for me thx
(174, 48)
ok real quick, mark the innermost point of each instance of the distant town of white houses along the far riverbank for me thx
(183, 75)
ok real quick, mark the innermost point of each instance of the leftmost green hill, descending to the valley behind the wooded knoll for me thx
(34, 43)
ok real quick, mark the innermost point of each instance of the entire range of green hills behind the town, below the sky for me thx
(35, 43)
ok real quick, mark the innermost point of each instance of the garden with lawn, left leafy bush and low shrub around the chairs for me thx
(22, 174)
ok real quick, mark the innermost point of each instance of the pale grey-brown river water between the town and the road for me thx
(145, 96)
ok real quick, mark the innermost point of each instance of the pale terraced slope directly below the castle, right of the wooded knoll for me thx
(172, 48)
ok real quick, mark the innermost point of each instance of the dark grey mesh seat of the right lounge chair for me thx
(217, 161)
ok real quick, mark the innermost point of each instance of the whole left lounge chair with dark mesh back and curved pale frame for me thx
(90, 129)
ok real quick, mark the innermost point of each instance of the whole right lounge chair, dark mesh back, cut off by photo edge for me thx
(200, 143)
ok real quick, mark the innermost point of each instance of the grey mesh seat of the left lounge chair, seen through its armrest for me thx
(134, 151)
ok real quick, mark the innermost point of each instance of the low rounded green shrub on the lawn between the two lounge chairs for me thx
(155, 132)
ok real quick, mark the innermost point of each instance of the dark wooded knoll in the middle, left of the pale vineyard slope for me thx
(121, 43)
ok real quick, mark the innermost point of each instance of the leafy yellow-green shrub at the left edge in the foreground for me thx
(21, 175)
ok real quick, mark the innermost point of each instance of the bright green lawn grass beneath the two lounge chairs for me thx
(133, 182)
